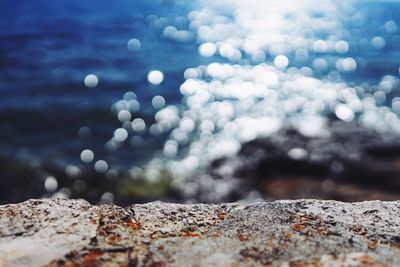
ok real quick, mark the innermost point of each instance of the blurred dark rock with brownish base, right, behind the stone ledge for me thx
(351, 163)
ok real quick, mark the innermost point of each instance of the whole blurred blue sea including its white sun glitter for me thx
(170, 86)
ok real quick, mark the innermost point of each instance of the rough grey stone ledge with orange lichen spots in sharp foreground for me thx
(57, 232)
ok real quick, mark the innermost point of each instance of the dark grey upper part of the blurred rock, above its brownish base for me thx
(348, 152)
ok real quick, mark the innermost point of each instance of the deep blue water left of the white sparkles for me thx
(47, 48)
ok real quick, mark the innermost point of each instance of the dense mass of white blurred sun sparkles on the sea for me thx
(283, 66)
